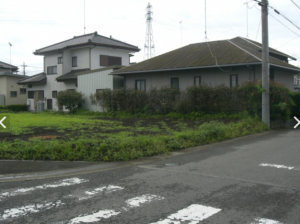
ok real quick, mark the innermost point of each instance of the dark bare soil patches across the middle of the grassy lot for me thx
(129, 123)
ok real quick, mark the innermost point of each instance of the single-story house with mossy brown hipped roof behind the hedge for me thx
(230, 62)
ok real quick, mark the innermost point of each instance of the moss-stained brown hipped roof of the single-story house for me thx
(236, 51)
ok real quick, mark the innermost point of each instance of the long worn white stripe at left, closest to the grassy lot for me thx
(62, 183)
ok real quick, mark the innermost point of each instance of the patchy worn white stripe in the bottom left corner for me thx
(24, 210)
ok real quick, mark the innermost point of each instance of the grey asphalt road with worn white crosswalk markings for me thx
(254, 179)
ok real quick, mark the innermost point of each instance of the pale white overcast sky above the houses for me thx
(33, 24)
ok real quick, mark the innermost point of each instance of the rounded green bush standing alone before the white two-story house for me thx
(72, 100)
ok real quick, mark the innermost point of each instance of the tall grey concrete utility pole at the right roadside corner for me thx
(265, 63)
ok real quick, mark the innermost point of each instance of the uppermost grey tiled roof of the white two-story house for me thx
(87, 39)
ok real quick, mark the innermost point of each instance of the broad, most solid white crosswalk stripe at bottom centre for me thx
(193, 214)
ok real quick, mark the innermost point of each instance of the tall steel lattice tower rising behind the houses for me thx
(149, 50)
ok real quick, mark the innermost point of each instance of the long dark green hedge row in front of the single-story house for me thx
(206, 98)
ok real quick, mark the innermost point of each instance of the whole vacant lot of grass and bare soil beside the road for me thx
(54, 136)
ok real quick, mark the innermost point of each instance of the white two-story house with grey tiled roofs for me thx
(63, 60)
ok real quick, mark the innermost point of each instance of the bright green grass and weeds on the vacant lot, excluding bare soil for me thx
(111, 146)
